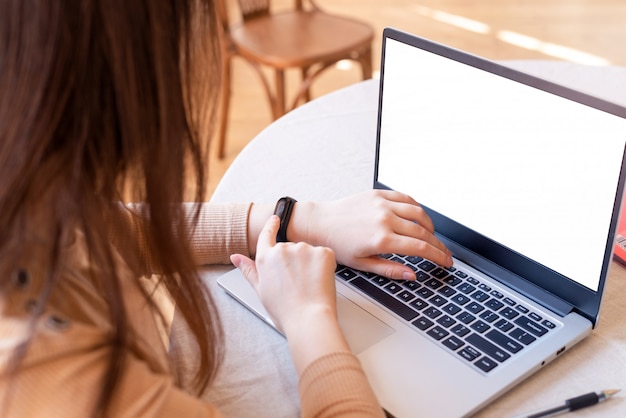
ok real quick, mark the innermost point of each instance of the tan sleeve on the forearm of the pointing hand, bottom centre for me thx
(335, 385)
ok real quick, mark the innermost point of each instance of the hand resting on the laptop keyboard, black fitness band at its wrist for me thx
(360, 228)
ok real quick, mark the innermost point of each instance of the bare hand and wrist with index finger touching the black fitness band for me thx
(296, 284)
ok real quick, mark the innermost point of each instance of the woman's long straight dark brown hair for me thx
(111, 97)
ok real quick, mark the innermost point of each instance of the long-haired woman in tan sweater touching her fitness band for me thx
(103, 99)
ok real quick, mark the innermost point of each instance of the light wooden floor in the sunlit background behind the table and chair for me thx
(585, 31)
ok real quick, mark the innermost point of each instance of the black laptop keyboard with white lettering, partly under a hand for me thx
(482, 325)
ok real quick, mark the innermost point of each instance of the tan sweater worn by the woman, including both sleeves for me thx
(62, 370)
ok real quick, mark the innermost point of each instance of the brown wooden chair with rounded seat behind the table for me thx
(304, 37)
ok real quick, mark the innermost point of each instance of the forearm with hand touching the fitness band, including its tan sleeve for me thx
(296, 283)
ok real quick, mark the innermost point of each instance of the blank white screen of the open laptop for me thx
(502, 159)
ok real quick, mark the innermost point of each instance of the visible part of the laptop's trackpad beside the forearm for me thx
(362, 329)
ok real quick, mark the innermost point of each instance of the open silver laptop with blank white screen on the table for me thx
(523, 179)
